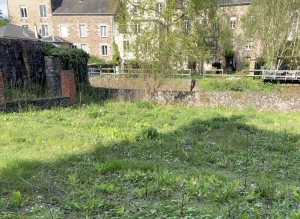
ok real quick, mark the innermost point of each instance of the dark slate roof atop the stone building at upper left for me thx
(83, 7)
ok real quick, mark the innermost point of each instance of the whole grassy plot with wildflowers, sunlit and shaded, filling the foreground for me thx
(140, 160)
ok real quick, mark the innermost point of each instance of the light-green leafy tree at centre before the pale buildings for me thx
(163, 37)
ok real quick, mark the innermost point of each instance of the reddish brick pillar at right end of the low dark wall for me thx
(68, 85)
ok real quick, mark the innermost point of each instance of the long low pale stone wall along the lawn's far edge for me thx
(280, 102)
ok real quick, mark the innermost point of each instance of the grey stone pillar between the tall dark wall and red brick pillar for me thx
(52, 68)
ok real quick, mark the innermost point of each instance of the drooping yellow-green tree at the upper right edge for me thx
(275, 26)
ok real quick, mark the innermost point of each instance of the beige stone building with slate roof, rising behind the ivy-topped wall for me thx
(88, 24)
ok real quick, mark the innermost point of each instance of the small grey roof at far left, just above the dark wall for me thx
(16, 32)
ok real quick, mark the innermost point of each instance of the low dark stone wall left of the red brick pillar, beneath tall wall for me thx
(40, 103)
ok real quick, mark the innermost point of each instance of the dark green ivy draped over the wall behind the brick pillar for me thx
(70, 59)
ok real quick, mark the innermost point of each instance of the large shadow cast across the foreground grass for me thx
(152, 176)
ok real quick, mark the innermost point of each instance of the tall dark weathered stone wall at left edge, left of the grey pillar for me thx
(22, 61)
